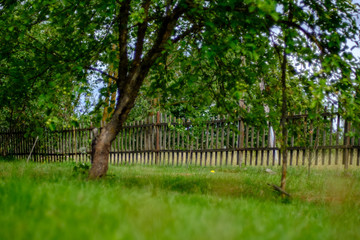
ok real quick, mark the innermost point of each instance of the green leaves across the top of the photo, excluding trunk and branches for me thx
(56, 41)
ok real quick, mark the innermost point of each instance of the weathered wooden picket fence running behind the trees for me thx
(169, 141)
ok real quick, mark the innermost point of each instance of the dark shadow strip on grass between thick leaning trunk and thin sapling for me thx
(233, 184)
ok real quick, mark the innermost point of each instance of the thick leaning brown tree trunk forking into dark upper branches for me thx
(131, 75)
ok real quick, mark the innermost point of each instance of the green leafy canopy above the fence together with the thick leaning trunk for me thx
(199, 53)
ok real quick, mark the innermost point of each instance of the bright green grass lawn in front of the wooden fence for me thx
(52, 201)
